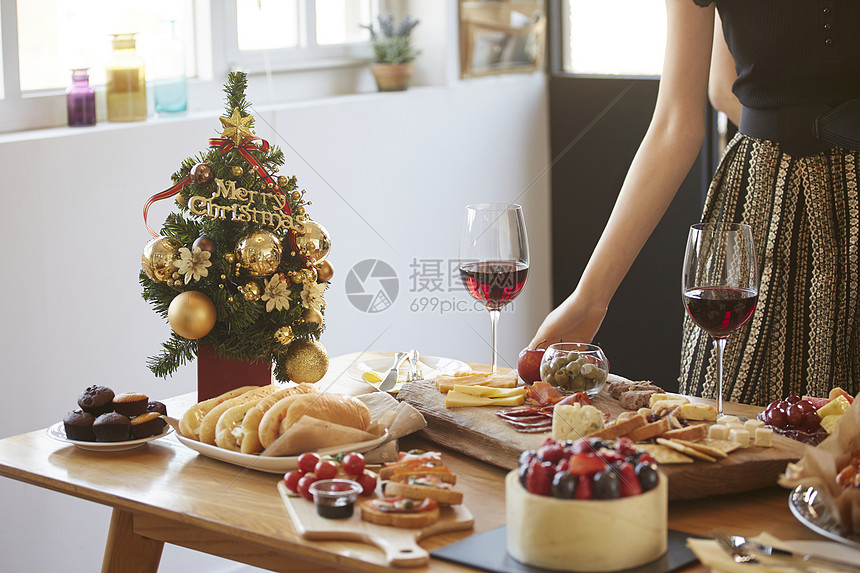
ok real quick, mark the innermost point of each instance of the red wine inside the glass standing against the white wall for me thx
(494, 283)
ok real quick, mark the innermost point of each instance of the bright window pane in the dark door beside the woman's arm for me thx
(597, 36)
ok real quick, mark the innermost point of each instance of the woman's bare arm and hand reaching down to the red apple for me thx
(664, 158)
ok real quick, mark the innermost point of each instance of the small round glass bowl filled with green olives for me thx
(572, 367)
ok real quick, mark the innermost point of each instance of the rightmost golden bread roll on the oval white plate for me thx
(337, 408)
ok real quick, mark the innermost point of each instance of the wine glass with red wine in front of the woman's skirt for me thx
(720, 283)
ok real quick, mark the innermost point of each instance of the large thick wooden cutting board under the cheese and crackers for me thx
(481, 434)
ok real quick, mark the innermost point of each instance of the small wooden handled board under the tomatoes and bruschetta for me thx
(400, 545)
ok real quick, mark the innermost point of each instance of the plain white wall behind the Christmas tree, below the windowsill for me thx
(388, 175)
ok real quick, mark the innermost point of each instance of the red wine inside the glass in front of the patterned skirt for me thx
(720, 310)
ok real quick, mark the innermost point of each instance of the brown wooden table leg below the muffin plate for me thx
(127, 552)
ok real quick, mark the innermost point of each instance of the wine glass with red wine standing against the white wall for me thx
(494, 257)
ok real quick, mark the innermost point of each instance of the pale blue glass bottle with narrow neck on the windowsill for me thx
(169, 86)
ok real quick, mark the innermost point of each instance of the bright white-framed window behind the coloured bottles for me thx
(44, 39)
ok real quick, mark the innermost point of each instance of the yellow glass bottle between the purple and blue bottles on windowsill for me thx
(126, 83)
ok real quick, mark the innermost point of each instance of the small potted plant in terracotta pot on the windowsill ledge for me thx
(393, 52)
